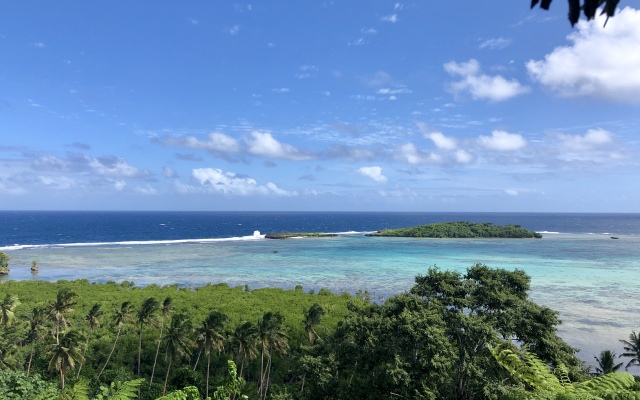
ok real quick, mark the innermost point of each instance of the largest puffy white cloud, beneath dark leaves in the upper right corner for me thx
(602, 62)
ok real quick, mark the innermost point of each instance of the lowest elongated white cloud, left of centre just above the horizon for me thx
(228, 183)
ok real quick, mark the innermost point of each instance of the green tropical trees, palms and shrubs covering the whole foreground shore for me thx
(471, 335)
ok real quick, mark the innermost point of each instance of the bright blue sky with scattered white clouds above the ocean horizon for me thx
(311, 105)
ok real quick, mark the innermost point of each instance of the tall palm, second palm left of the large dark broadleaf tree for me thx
(271, 336)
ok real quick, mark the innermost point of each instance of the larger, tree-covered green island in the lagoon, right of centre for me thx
(462, 229)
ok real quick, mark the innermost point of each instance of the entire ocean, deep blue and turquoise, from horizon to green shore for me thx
(576, 268)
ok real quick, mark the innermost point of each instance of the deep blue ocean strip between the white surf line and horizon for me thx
(44, 227)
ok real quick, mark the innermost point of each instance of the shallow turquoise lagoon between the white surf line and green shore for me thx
(590, 279)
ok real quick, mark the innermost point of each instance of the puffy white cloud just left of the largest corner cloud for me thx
(482, 86)
